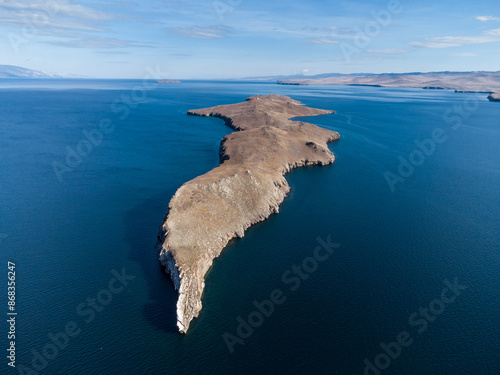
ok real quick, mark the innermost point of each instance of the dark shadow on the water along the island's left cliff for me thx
(142, 224)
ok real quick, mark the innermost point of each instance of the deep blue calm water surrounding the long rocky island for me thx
(396, 248)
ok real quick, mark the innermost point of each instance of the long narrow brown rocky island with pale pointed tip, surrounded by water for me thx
(246, 188)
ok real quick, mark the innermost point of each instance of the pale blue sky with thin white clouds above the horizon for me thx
(191, 39)
